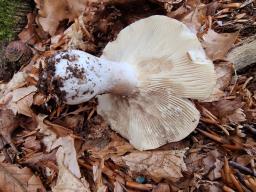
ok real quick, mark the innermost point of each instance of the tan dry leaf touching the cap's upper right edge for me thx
(218, 44)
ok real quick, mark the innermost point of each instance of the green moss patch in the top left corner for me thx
(8, 18)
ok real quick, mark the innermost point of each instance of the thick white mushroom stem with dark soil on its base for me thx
(81, 76)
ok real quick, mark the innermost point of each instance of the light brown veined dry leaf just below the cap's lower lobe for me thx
(157, 165)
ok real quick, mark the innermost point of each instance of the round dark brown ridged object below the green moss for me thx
(19, 52)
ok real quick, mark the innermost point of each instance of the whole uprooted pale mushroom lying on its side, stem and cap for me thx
(143, 81)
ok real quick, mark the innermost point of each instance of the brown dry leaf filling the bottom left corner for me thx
(14, 179)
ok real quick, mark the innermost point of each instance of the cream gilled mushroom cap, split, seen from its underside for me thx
(172, 67)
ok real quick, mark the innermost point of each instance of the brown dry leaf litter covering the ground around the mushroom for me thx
(71, 148)
